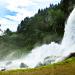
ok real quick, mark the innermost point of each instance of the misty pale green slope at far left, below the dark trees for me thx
(10, 46)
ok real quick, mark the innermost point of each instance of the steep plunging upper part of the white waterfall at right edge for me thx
(68, 42)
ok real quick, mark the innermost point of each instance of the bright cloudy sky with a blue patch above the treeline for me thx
(13, 11)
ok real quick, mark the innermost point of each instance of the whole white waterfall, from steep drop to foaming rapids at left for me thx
(56, 51)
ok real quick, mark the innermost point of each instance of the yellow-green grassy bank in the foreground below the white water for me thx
(66, 67)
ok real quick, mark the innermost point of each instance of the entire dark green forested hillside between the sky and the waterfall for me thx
(45, 26)
